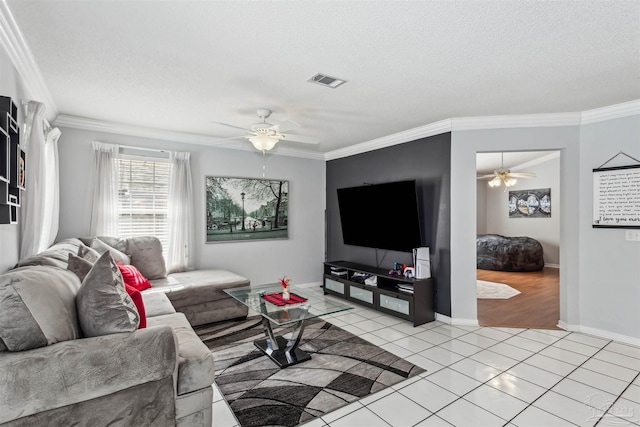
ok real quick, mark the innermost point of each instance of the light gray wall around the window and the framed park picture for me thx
(299, 257)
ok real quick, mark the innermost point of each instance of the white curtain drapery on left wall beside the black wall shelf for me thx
(39, 202)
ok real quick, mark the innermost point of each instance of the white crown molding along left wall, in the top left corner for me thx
(19, 53)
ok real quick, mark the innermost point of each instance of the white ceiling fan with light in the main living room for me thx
(264, 136)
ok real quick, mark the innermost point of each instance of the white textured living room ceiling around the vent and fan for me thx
(179, 65)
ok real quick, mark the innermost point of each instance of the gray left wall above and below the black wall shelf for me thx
(10, 85)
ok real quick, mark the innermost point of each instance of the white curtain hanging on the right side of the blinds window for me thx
(180, 213)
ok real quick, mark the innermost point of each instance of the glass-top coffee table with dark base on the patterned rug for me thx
(285, 352)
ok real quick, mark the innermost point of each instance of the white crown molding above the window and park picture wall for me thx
(84, 123)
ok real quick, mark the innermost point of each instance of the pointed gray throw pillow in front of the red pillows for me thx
(103, 304)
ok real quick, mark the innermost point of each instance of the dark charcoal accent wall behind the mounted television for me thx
(428, 162)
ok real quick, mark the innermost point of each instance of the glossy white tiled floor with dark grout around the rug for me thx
(488, 377)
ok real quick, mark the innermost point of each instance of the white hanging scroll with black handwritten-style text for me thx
(616, 197)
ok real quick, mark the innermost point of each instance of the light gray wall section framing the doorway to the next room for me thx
(464, 146)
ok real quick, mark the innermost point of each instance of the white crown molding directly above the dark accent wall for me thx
(431, 129)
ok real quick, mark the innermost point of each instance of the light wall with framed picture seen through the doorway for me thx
(545, 230)
